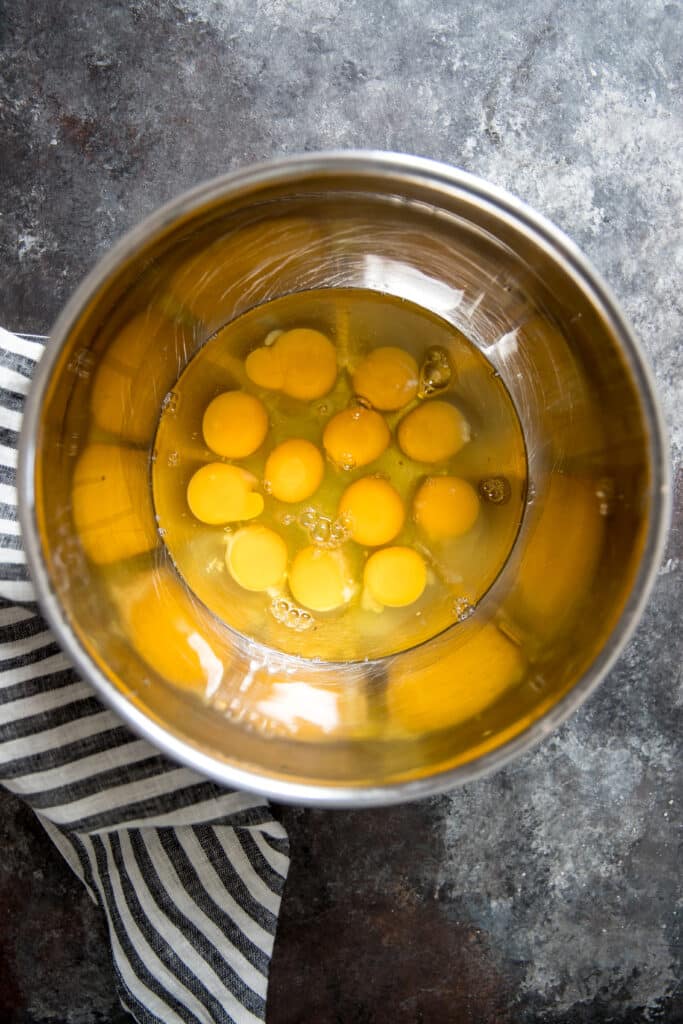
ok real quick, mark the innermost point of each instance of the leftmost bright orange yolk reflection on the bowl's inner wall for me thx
(112, 505)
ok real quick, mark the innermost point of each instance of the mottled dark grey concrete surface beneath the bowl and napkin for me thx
(546, 893)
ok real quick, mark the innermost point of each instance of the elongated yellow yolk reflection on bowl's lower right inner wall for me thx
(457, 685)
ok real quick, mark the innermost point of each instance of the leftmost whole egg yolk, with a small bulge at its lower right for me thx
(220, 494)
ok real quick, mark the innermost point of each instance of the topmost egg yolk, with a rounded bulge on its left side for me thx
(301, 363)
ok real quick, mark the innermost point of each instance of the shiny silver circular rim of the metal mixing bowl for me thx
(559, 246)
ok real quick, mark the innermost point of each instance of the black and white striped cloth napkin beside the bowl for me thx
(190, 876)
